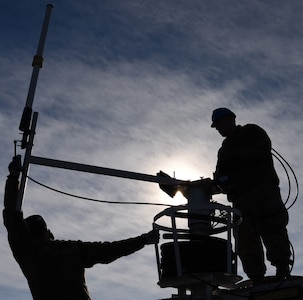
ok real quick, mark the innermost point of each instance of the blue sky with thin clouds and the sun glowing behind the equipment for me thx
(131, 85)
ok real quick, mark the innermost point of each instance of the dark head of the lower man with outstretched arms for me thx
(37, 228)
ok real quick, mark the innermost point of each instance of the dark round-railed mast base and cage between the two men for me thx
(194, 259)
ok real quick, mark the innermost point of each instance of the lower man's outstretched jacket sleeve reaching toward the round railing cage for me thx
(107, 252)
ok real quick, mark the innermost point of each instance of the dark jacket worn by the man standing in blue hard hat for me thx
(245, 159)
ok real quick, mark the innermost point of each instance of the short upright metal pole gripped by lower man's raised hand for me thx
(26, 162)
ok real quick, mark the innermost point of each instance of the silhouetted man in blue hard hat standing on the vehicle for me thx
(245, 171)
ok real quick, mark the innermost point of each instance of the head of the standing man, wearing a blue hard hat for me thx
(224, 120)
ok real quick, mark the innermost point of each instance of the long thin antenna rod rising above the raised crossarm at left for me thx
(37, 65)
